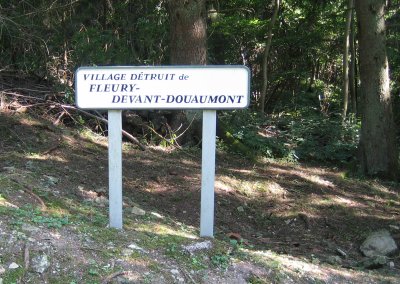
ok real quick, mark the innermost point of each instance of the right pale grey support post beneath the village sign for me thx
(208, 173)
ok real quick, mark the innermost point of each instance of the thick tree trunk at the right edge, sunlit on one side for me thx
(379, 156)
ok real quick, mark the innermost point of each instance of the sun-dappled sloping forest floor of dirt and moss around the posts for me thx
(274, 222)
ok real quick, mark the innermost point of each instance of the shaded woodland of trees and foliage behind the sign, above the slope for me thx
(306, 102)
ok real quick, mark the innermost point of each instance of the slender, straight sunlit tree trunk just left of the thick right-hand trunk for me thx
(346, 59)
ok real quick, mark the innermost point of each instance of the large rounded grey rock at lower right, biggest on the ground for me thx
(379, 243)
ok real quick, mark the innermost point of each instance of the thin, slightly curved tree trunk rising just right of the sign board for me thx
(266, 56)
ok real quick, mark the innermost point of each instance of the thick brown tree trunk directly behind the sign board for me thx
(188, 46)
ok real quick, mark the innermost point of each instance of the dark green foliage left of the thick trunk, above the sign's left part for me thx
(52, 39)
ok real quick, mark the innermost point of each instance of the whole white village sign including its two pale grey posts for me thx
(178, 87)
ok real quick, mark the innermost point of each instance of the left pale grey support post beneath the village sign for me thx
(115, 168)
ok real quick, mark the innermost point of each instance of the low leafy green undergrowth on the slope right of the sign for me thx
(303, 135)
